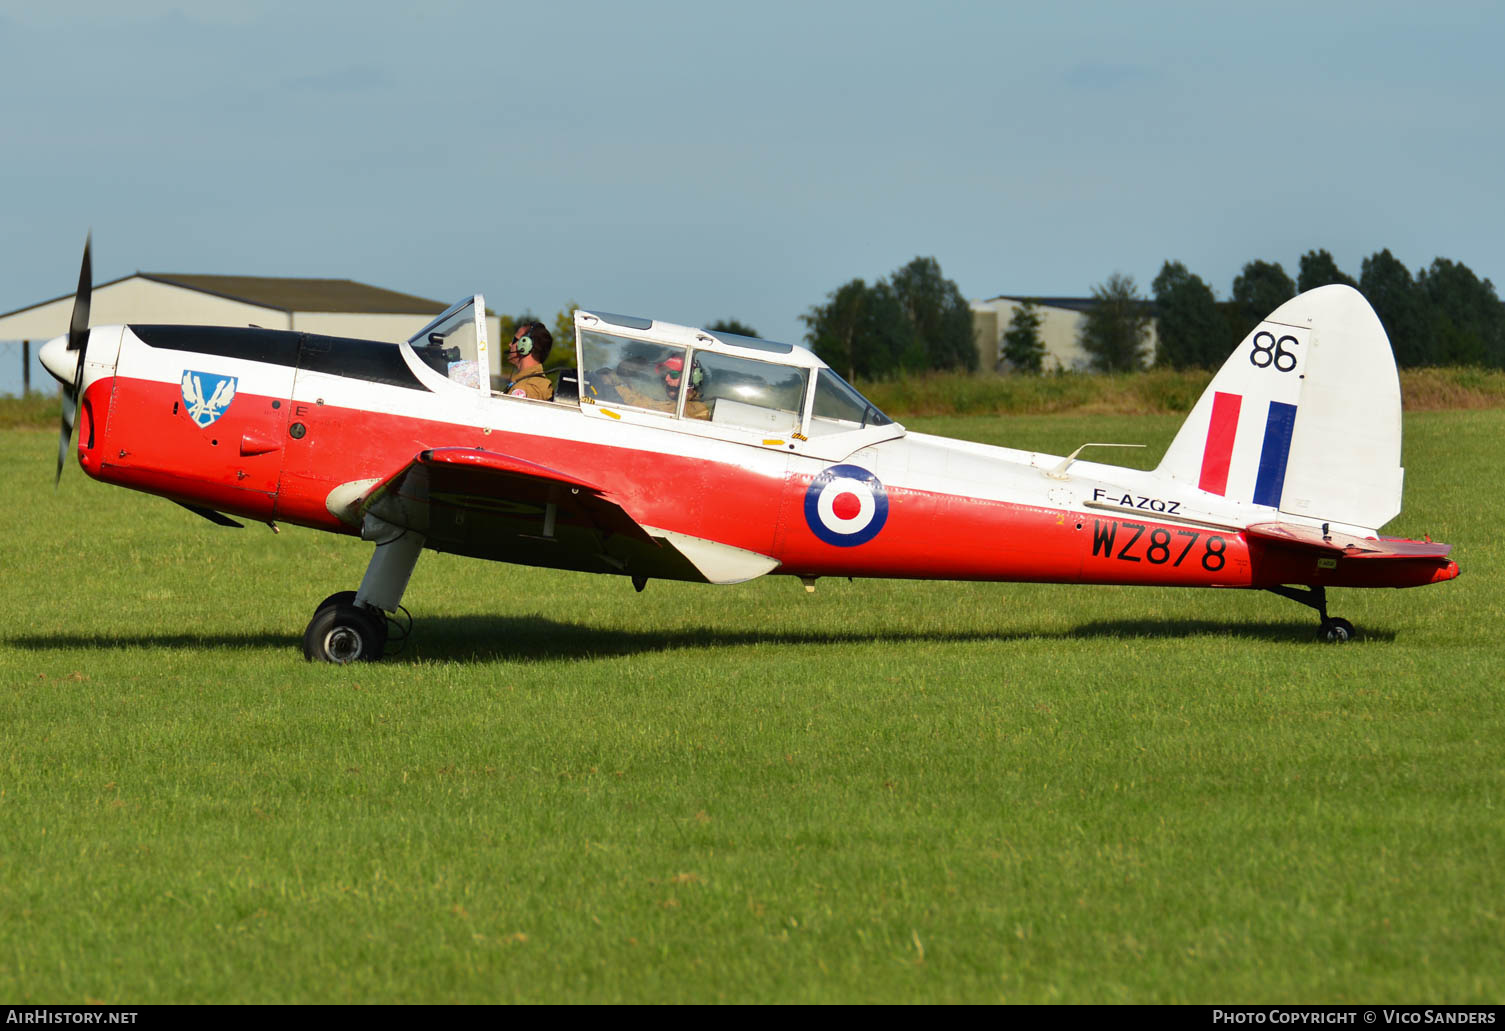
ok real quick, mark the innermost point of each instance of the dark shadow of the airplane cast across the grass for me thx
(484, 639)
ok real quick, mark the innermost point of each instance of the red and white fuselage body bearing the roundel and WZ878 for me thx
(275, 427)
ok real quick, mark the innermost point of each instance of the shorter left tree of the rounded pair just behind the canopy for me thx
(863, 332)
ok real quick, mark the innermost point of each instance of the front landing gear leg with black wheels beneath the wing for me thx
(351, 627)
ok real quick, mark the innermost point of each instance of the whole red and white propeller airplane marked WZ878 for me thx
(759, 460)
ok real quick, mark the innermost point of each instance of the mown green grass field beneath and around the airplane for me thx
(565, 791)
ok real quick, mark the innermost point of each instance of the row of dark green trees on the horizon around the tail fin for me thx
(917, 320)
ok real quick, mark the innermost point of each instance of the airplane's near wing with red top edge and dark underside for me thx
(481, 503)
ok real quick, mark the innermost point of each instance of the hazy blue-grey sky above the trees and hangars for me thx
(701, 162)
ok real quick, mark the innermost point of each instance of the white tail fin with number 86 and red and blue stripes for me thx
(1304, 418)
